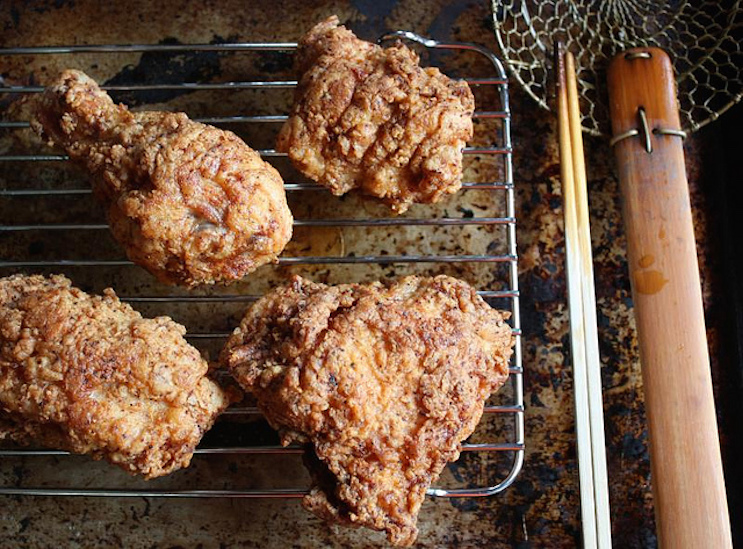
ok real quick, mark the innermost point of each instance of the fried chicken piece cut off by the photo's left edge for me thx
(89, 375)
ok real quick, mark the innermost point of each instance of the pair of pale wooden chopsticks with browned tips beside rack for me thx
(589, 413)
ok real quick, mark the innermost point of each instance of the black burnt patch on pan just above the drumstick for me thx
(164, 67)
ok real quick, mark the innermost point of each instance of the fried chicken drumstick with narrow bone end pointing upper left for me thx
(191, 203)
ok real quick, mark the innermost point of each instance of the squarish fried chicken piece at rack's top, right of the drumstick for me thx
(372, 119)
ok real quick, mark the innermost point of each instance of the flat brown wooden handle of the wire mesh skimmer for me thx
(688, 486)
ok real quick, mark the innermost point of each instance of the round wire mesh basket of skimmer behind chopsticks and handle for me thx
(703, 39)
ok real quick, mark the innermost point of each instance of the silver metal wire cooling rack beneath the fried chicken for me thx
(500, 150)
